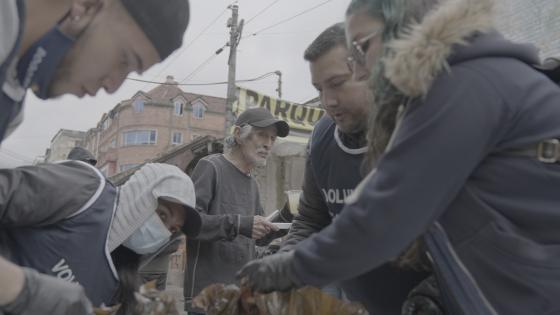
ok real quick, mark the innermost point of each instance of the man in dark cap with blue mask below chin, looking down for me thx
(77, 47)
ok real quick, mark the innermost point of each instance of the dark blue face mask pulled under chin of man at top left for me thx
(37, 67)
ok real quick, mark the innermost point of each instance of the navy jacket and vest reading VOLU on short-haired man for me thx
(332, 172)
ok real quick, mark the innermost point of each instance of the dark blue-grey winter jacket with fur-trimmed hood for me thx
(494, 217)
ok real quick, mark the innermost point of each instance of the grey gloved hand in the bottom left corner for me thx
(42, 294)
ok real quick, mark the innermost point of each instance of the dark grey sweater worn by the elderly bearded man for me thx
(228, 200)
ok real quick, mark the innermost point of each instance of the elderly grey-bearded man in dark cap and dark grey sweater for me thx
(228, 198)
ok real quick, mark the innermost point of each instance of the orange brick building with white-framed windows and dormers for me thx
(152, 123)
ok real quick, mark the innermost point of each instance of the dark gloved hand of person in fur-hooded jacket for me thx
(272, 273)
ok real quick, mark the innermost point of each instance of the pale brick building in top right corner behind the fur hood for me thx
(533, 21)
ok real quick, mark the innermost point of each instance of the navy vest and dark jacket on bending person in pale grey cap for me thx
(55, 218)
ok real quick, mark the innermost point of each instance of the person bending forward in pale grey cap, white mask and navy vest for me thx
(65, 220)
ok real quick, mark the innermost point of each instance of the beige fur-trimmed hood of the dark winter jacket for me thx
(455, 31)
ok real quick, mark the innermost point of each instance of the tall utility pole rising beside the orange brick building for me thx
(234, 38)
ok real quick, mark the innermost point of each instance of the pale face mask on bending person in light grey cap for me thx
(148, 238)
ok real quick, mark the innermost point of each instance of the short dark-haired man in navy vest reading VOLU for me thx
(335, 166)
